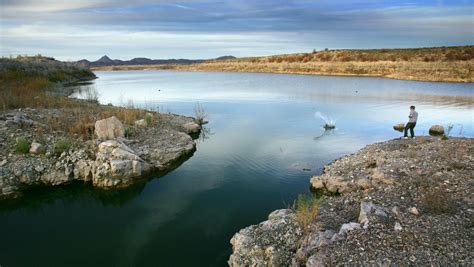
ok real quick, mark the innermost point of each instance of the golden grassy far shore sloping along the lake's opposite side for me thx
(445, 64)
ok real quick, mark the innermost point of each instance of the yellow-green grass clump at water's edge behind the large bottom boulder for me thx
(306, 208)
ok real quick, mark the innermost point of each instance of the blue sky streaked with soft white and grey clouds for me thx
(201, 29)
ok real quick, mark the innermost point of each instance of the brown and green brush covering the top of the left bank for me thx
(32, 82)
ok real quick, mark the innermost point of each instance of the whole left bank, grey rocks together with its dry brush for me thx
(52, 139)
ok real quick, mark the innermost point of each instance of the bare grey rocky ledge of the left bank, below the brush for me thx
(112, 158)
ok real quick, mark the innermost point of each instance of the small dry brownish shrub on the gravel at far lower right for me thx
(438, 201)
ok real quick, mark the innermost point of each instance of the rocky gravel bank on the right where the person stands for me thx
(399, 202)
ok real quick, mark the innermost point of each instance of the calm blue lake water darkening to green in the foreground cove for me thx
(262, 133)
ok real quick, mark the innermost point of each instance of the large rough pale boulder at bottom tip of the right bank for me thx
(270, 243)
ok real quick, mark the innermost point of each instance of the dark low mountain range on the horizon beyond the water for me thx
(106, 61)
